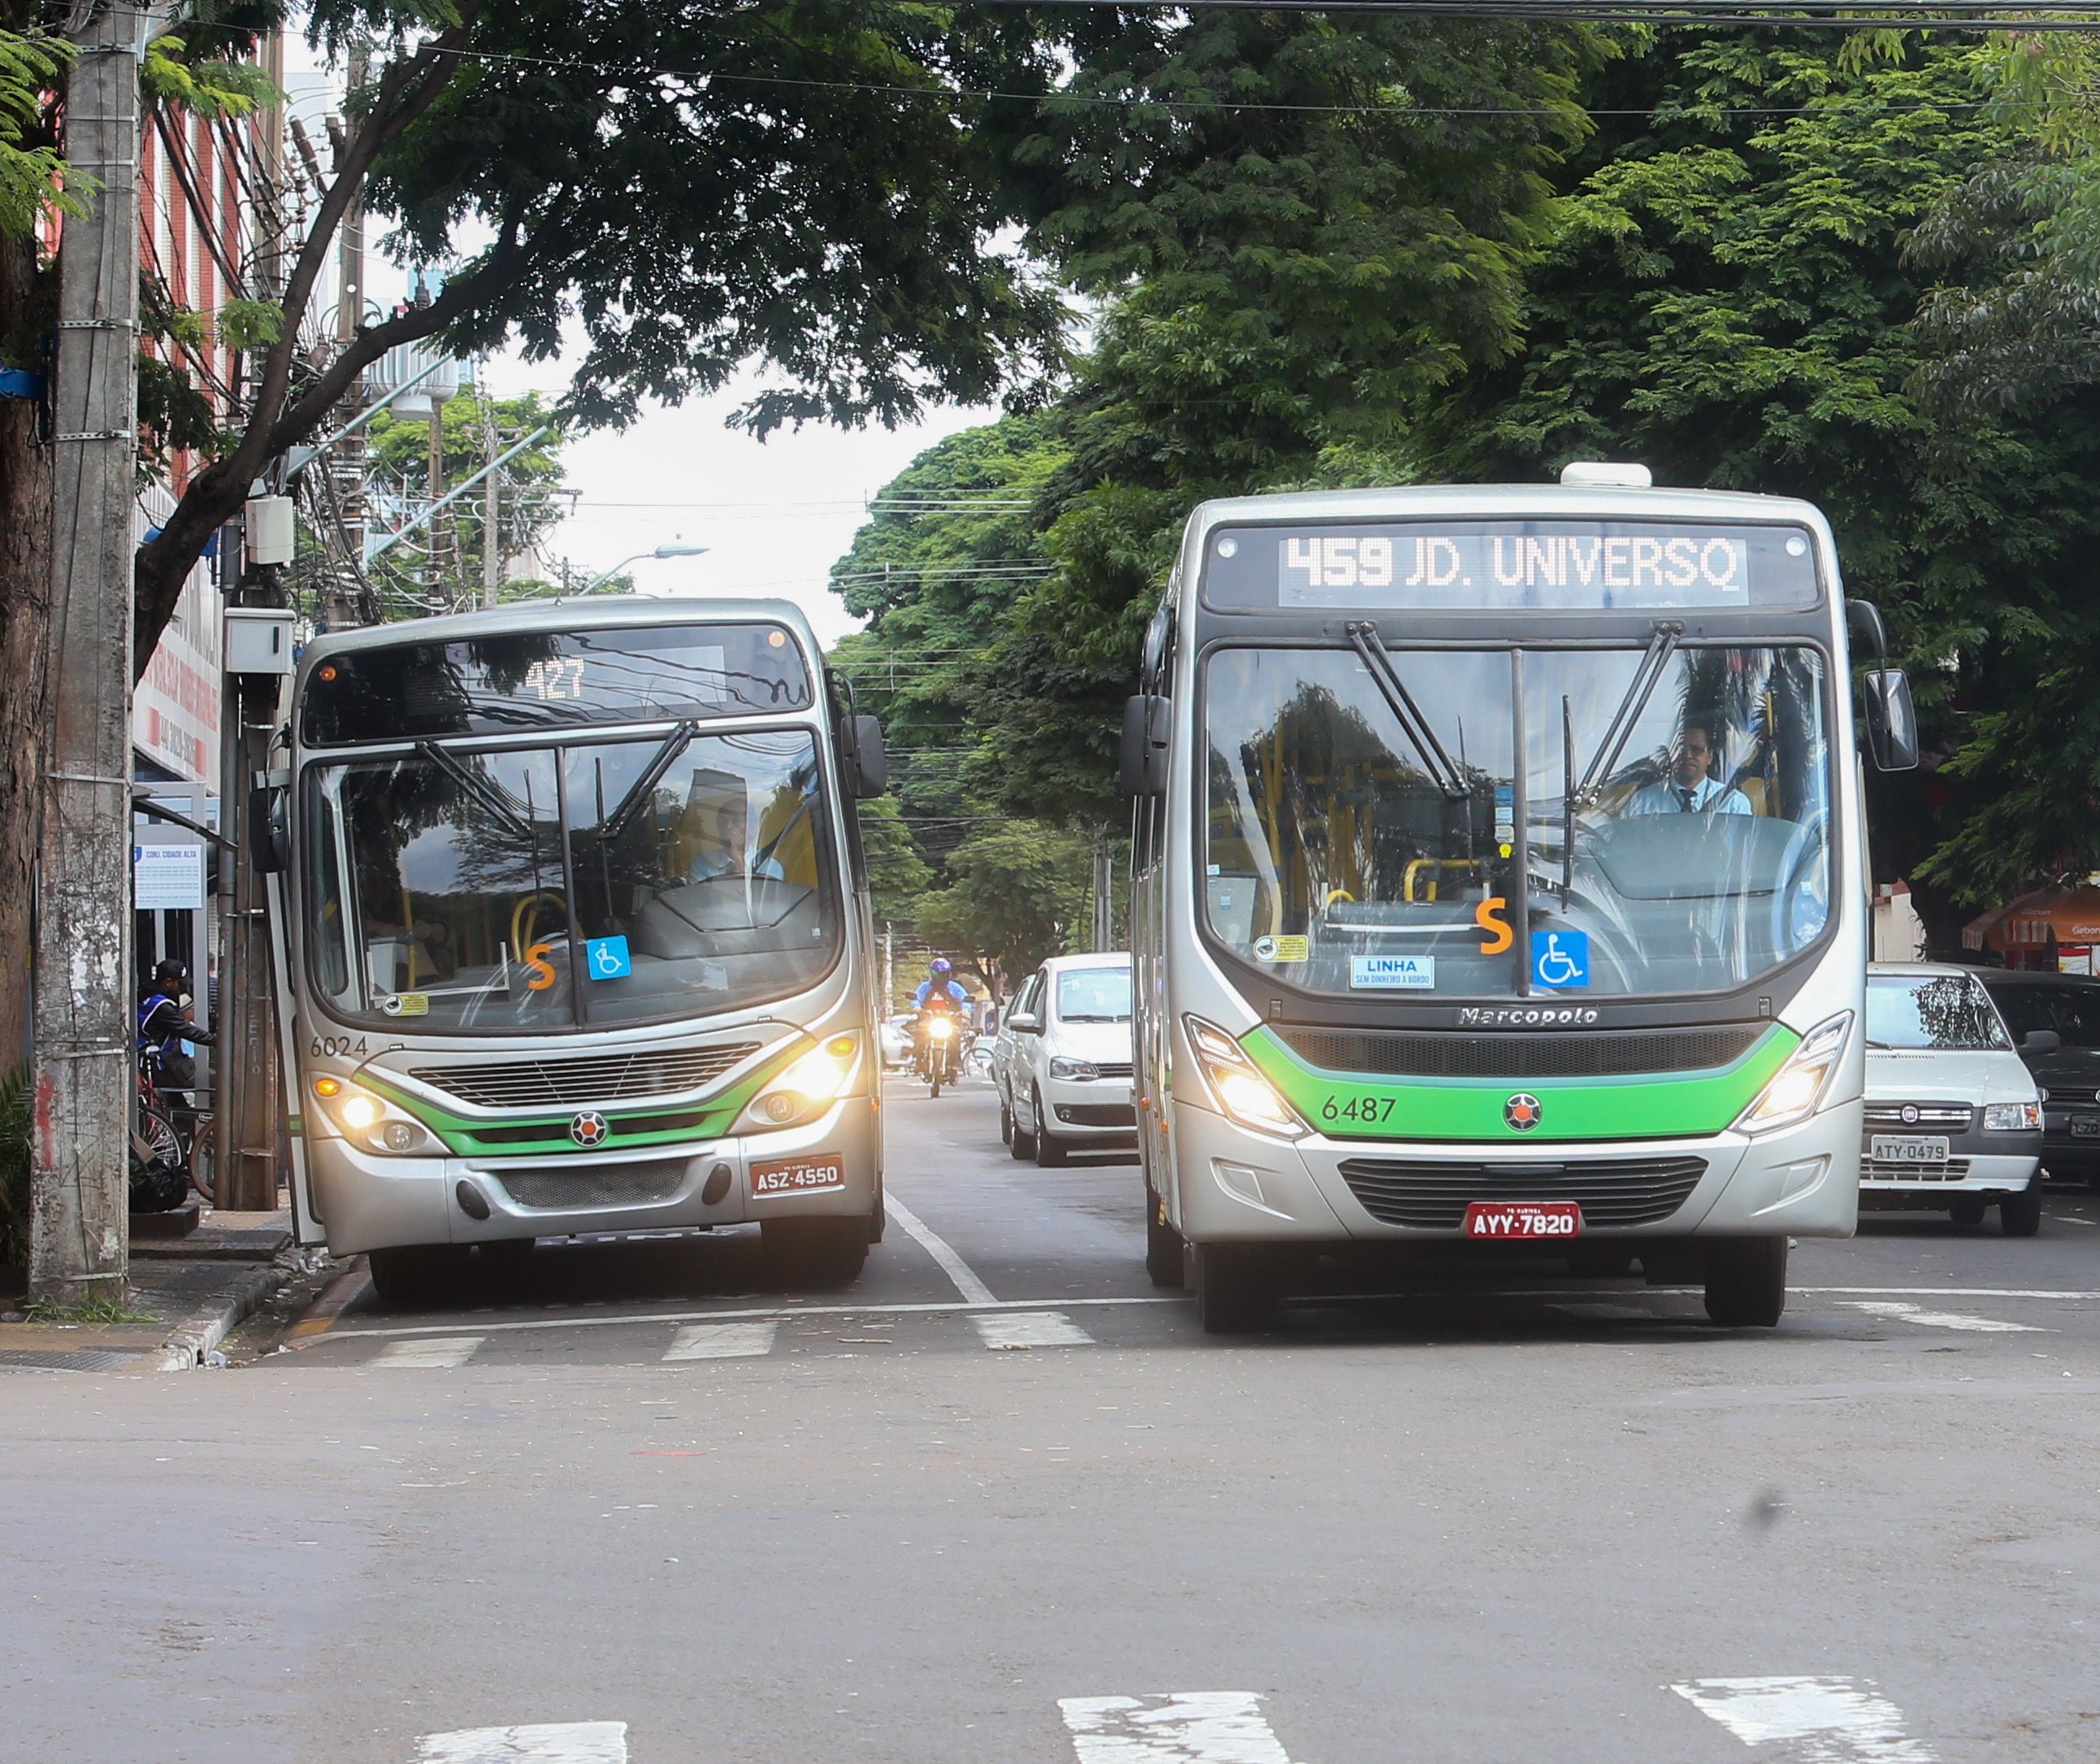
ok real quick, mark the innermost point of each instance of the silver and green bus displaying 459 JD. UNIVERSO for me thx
(1503, 885)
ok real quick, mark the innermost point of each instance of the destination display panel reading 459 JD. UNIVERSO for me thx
(1511, 566)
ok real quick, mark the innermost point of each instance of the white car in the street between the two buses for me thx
(1068, 1080)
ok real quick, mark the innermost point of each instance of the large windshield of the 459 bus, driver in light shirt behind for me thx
(1685, 854)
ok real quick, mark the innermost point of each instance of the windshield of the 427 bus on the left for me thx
(541, 889)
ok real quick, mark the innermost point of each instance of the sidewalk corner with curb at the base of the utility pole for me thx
(186, 1295)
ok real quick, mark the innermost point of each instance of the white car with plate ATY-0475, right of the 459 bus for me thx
(1954, 1120)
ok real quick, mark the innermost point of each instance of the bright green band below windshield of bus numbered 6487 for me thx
(1471, 1110)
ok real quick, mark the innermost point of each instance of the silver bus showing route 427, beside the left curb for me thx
(574, 936)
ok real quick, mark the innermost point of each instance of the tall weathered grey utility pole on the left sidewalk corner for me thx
(83, 1104)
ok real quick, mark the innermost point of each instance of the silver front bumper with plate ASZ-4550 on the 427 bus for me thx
(826, 1169)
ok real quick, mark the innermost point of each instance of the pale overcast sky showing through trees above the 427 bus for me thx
(776, 516)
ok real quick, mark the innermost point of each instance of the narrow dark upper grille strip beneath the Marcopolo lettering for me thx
(1595, 1053)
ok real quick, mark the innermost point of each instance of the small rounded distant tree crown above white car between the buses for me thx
(1020, 894)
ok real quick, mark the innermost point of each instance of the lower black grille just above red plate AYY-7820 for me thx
(1435, 1196)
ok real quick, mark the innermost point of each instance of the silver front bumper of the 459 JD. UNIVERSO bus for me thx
(1238, 1185)
